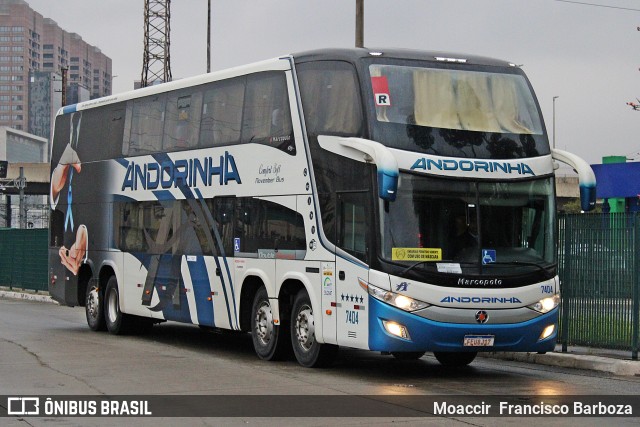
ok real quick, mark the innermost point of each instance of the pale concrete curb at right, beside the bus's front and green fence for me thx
(574, 361)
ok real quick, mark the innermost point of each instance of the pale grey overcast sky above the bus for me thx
(585, 55)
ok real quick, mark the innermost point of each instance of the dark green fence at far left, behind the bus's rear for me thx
(23, 258)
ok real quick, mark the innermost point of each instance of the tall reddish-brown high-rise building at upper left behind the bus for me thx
(31, 47)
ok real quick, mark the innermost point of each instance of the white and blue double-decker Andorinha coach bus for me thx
(391, 200)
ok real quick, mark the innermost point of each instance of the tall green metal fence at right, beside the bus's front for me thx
(600, 280)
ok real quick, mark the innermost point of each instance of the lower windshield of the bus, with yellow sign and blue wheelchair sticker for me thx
(470, 223)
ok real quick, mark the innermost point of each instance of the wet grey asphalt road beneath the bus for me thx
(46, 349)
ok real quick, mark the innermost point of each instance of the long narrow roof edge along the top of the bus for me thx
(282, 63)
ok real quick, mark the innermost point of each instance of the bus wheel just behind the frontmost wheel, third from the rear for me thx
(268, 340)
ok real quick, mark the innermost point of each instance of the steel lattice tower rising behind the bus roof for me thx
(156, 63)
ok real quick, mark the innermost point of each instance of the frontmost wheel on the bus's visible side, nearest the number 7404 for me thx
(308, 351)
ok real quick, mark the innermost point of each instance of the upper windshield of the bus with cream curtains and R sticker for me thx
(453, 112)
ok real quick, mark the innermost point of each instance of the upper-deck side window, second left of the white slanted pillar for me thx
(222, 113)
